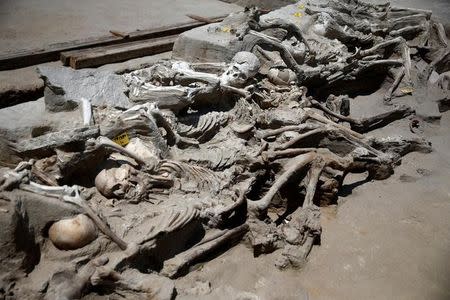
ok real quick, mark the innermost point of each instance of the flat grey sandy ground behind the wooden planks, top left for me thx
(29, 24)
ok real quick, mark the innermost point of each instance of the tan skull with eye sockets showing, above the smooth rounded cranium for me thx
(115, 182)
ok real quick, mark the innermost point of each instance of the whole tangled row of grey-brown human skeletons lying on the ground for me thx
(213, 152)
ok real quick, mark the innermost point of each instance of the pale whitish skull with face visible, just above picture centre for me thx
(243, 66)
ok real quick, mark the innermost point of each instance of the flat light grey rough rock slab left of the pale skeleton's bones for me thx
(64, 88)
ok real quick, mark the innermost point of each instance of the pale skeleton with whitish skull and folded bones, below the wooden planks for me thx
(155, 85)
